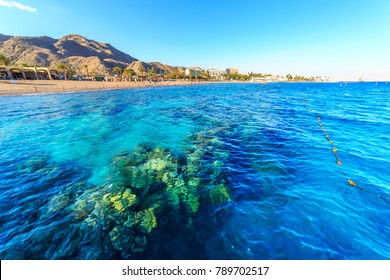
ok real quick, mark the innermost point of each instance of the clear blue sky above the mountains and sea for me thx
(341, 39)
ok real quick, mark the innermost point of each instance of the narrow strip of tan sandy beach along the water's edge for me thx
(8, 87)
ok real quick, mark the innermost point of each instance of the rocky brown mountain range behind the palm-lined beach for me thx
(72, 49)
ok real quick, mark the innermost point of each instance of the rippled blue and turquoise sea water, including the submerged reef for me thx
(226, 171)
